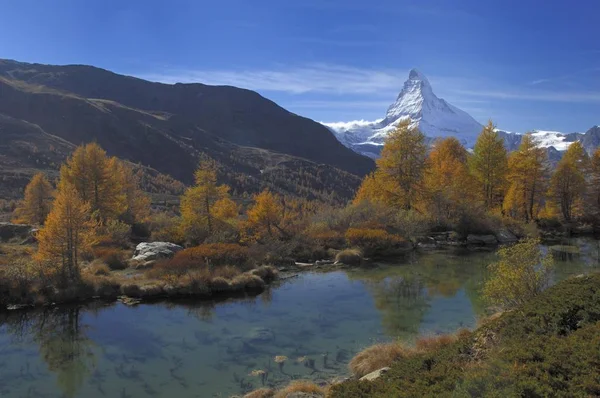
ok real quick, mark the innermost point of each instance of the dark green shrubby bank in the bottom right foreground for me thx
(548, 347)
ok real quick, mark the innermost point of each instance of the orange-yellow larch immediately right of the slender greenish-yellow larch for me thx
(527, 180)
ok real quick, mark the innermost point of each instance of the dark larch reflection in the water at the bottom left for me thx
(62, 343)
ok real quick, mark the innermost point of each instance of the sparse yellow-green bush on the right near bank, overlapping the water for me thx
(521, 273)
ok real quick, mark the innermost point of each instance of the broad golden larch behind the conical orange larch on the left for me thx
(96, 179)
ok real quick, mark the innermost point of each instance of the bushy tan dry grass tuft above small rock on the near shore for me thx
(376, 357)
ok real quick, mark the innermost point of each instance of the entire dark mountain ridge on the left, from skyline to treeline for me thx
(257, 143)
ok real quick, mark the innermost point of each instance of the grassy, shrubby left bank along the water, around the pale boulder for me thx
(109, 276)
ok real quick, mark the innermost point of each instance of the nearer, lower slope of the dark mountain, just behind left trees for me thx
(40, 126)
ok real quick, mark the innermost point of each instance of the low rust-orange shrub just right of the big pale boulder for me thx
(216, 254)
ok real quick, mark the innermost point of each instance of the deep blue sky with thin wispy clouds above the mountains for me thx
(525, 64)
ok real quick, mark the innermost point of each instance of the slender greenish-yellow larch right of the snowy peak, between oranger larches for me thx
(489, 165)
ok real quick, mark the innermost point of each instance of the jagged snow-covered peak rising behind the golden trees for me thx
(417, 102)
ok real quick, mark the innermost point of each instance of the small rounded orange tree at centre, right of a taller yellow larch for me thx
(266, 215)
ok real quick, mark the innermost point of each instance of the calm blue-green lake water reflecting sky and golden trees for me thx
(194, 349)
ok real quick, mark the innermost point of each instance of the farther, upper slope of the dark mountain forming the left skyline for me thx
(236, 115)
